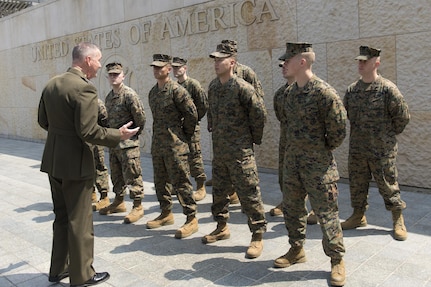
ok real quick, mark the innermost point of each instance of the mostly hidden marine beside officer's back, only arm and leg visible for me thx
(102, 175)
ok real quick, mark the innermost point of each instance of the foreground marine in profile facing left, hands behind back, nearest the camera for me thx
(315, 126)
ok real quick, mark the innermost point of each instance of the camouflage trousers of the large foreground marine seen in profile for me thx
(324, 201)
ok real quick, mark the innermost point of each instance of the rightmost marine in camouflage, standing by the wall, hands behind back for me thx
(377, 112)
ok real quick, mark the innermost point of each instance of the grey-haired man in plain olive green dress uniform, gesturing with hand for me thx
(68, 111)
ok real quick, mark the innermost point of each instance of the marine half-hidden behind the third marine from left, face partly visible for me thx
(200, 100)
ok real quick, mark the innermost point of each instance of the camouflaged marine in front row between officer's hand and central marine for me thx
(174, 121)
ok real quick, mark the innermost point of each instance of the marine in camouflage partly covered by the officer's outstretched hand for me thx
(123, 105)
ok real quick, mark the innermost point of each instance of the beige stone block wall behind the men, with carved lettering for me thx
(37, 42)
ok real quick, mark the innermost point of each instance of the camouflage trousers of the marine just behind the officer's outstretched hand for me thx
(126, 172)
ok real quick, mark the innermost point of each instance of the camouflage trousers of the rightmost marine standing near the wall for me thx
(384, 171)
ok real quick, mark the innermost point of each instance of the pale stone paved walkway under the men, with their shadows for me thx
(136, 256)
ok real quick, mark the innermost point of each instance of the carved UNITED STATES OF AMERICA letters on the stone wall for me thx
(172, 25)
